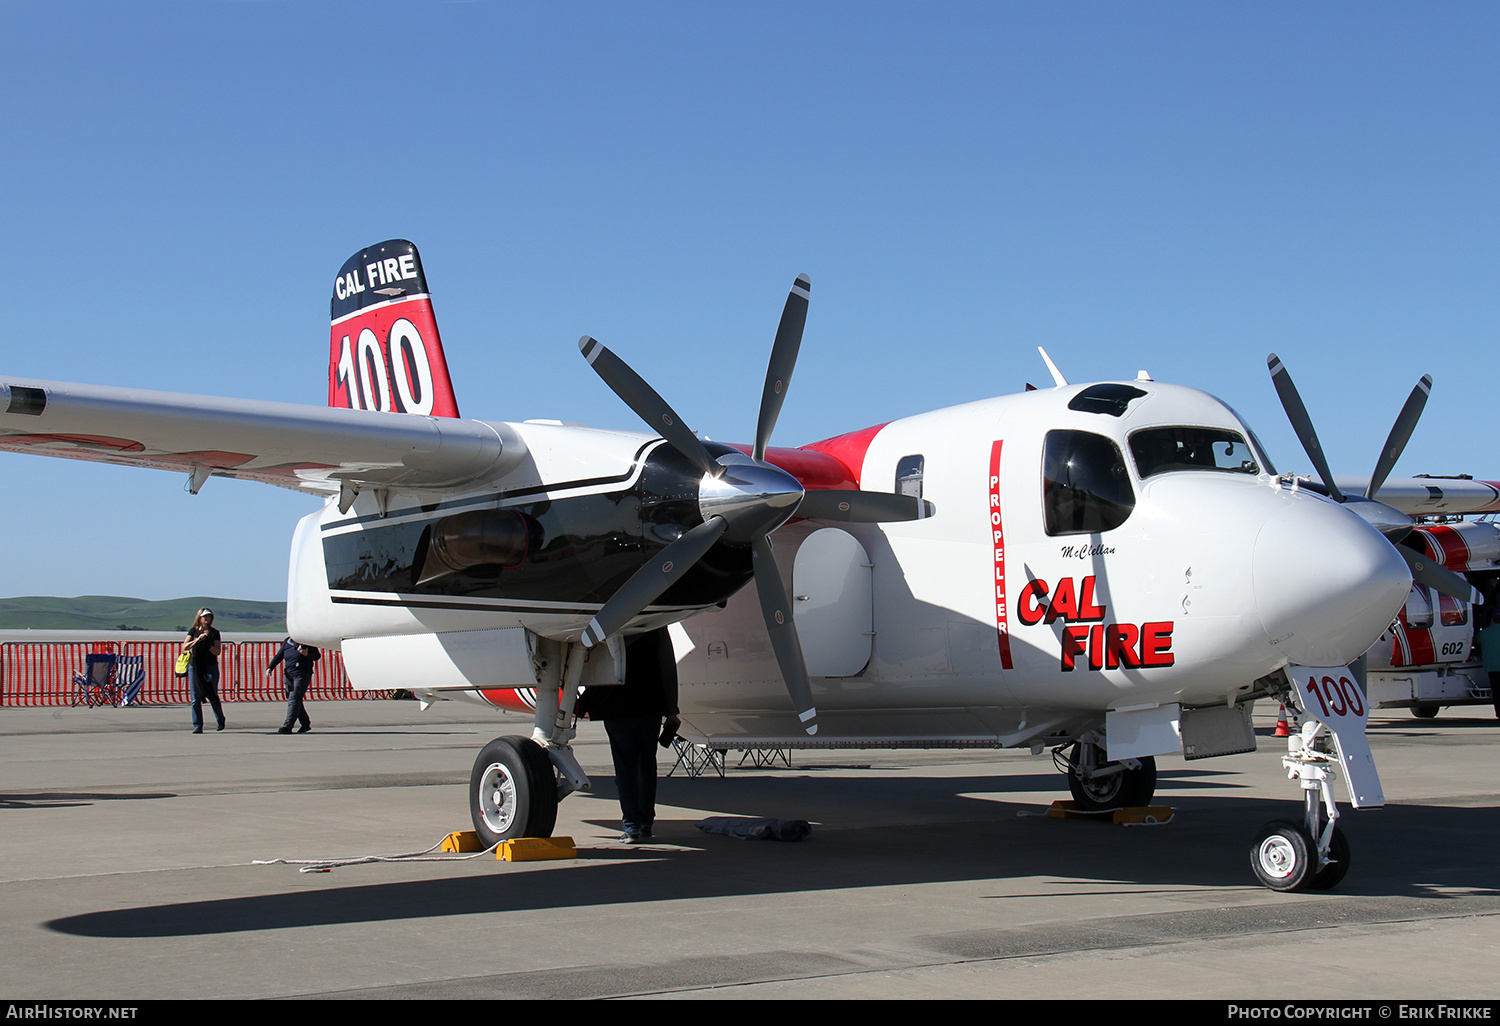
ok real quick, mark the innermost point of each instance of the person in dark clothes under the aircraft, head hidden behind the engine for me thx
(634, 715)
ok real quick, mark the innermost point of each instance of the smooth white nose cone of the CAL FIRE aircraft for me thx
(1327, 584)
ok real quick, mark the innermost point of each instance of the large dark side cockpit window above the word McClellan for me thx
(1085, 485)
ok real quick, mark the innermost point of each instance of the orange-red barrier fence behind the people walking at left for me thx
(43, 673)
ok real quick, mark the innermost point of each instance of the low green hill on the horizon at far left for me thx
(113, 613)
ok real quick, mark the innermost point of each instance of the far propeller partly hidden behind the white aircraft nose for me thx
(1390, 521)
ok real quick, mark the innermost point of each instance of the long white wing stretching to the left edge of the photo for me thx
(310, 449)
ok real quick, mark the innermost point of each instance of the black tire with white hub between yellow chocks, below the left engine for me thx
(512, 791)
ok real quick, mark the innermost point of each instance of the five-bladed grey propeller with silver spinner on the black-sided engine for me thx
(742, 502)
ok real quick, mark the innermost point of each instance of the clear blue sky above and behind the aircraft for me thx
(1174, 187)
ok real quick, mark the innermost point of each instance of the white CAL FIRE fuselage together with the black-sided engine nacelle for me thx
(1091, 548)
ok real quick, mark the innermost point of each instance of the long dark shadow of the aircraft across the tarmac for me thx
(1403, 851)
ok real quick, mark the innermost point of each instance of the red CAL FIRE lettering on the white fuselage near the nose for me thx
(1085, 635)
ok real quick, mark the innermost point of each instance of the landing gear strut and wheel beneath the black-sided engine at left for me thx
(518, 782)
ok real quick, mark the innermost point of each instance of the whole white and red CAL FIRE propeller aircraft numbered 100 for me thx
(1114, 569)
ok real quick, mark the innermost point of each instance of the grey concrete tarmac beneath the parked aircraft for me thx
(130, 847)
